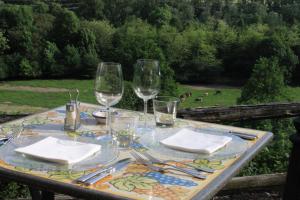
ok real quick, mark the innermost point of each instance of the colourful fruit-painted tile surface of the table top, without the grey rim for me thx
(135, 181)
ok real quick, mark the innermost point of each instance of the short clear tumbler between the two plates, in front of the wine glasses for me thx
(124, 130)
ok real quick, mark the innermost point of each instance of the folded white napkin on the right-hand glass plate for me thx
(196, 142)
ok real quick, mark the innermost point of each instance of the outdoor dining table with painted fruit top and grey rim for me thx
(135, 181)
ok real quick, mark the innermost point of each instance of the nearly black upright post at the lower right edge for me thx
(292, 187)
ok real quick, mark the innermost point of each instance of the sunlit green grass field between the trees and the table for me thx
(21, 96)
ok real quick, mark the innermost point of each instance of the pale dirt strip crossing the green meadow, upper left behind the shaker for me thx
(31, 89)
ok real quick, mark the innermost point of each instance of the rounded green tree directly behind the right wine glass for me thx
(137, 39)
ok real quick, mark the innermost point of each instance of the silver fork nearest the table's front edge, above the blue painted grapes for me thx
(161, 169)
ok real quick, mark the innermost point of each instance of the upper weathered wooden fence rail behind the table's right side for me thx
(242, 112)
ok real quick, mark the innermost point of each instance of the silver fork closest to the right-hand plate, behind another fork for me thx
(165, 162)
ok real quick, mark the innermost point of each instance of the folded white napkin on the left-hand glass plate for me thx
(60, 151)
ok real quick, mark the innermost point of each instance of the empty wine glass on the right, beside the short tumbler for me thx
(146, 80)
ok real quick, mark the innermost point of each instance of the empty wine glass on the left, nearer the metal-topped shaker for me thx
(109, 87)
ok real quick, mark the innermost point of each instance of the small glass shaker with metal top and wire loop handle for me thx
(72, 119)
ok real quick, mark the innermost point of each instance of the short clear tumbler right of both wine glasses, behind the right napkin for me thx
(165, 109)
